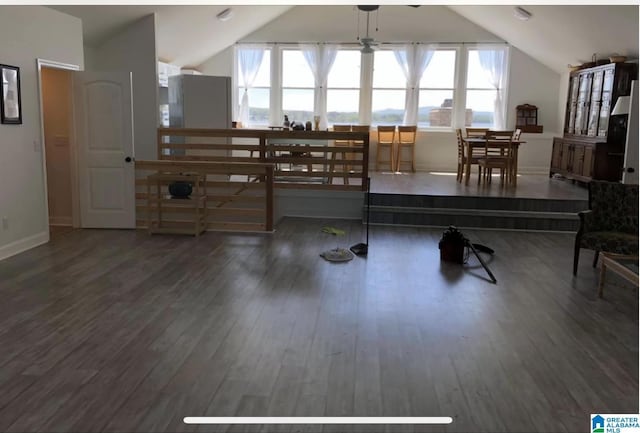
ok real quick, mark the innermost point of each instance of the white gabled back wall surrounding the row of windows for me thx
(530, 81)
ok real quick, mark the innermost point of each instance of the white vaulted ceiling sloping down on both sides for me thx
(556, 35)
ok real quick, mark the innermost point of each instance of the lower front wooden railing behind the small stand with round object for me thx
(238, 196)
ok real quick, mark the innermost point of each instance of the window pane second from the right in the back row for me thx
(436, 106)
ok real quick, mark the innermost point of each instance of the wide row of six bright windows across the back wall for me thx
(460, 85)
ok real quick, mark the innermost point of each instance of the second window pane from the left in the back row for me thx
(297, 86)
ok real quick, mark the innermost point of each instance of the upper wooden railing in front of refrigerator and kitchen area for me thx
(326, 160)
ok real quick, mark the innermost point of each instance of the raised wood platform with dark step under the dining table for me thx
(538, 203)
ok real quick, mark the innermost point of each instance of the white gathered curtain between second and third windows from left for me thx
(320, 59)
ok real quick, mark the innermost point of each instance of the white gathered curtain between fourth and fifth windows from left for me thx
(413, 59)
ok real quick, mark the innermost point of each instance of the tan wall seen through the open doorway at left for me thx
(56, 97)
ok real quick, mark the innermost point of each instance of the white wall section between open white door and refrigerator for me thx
(134, 49)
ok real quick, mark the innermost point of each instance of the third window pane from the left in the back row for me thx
(343, 88)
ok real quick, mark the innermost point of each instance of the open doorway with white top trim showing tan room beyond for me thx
(56, 110)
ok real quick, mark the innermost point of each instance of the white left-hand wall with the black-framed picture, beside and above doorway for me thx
(28, 33)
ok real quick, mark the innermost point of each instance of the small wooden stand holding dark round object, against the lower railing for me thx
(195, 204)
